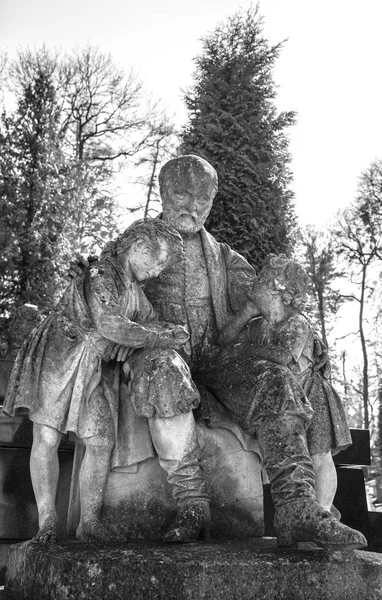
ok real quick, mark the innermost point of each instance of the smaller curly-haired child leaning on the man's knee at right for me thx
(285, 337)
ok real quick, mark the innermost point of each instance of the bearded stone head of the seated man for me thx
(188, 185)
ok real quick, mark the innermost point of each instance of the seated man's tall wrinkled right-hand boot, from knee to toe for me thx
(298, 516)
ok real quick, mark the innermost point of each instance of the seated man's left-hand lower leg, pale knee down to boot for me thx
(176, 443)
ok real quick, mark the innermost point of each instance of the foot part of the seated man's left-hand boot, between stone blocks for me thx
(191, 522)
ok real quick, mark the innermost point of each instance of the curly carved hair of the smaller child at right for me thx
(286, 276)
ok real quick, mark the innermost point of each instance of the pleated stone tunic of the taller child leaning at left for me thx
(57, 374)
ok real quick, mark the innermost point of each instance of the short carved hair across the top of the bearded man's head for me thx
(186, 168)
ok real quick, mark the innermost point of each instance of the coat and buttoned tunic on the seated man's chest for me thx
(203, 291)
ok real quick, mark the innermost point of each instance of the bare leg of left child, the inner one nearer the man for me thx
(93, 478)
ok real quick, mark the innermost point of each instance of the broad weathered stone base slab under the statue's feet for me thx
(254, 569)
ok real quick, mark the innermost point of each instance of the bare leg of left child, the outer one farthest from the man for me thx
(44, 470)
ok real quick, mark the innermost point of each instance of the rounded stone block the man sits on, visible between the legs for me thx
(139, 503)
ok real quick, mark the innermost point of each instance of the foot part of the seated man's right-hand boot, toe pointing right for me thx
(306, 521)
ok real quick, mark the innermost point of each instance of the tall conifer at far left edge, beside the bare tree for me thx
(32, 202)
